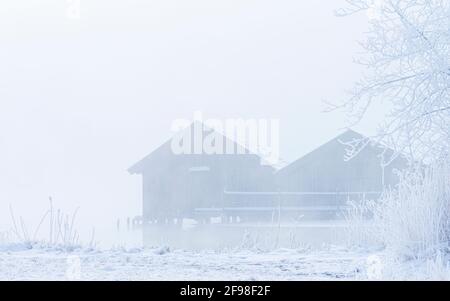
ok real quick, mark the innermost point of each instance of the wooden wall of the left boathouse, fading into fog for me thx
(174, 185)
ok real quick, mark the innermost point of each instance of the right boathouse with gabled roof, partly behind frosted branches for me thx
(324, 170)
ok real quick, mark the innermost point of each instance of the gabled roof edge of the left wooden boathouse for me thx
(165, 149)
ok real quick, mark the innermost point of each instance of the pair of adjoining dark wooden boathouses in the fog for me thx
(200, 186)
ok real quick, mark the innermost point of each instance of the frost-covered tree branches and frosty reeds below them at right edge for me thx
(407, 53)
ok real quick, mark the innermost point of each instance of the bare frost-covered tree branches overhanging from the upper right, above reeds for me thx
(407, 53)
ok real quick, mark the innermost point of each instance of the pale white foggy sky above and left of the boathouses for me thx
(83, 99)
